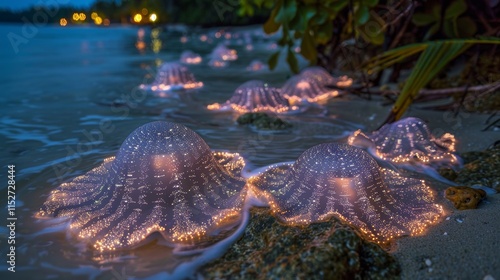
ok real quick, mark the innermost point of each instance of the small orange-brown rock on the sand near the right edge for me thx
(464, 197)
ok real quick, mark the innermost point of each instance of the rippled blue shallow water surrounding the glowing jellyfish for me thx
(58, 121)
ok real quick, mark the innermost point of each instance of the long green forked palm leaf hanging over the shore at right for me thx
(435, 56)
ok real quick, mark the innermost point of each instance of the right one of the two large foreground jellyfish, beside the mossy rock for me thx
(346, 182)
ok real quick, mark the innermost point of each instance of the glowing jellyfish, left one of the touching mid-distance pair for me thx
(254, 96)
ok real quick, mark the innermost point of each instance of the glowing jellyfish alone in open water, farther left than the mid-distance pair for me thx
(173, 76)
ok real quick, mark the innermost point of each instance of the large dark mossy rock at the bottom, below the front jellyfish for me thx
(327, 250)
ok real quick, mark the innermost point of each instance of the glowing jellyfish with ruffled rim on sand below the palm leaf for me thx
(408, 143)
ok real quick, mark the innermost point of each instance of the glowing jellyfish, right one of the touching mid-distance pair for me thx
(301, 88)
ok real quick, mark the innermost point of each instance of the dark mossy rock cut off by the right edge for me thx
(481, 169)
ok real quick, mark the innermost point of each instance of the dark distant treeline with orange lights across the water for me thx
(191, 12)
